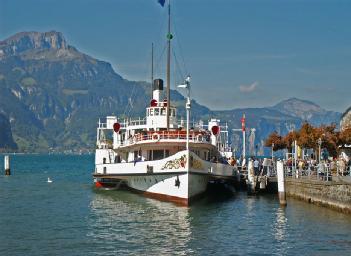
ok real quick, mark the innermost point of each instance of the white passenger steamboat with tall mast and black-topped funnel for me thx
(159, 155)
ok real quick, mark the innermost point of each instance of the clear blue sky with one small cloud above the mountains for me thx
(240, 53)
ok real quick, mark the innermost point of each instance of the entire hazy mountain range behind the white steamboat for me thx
(53, 96)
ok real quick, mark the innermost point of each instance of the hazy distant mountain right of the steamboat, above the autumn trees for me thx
(283, 117)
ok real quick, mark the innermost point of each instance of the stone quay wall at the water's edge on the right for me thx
(334, 194)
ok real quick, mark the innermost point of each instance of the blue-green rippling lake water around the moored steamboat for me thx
(69, 217)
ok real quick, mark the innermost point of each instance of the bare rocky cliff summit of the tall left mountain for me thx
(25, 41)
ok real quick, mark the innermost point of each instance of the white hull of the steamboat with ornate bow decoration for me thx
(171, 179)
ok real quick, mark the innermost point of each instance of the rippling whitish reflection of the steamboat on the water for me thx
(122, 222)
